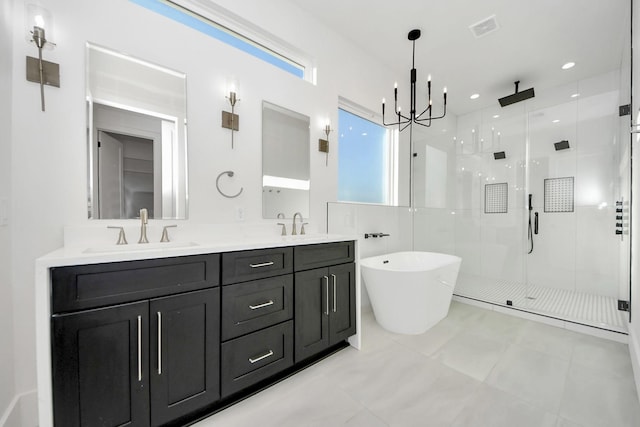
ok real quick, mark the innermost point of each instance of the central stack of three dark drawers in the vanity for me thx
(257, 313)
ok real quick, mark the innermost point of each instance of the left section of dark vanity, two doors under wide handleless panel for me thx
(142, 363)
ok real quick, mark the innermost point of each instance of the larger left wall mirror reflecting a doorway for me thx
(136, 135)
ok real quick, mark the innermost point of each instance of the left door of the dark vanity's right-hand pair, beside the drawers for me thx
(311, 321)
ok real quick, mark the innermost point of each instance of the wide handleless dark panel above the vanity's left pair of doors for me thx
(96, 285)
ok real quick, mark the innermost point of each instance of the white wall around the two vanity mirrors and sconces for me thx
(49, 149)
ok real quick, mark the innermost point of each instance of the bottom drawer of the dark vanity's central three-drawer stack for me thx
(255, 357)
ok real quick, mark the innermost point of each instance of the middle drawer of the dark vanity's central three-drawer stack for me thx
(250, 306)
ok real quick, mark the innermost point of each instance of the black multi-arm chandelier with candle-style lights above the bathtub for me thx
(425, 117)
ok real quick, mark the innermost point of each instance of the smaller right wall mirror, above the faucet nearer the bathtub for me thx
(285, 162)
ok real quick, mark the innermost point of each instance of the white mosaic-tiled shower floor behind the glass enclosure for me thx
(592, 310)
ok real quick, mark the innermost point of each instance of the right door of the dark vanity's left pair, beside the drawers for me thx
(185, 354)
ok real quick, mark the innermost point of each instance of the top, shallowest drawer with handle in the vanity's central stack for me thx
(257, 264)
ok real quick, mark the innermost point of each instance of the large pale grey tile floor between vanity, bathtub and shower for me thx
(477, 367)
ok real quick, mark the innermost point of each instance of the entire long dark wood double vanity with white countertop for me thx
(170, 336)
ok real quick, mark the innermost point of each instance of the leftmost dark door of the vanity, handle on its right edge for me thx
(100, 369)
